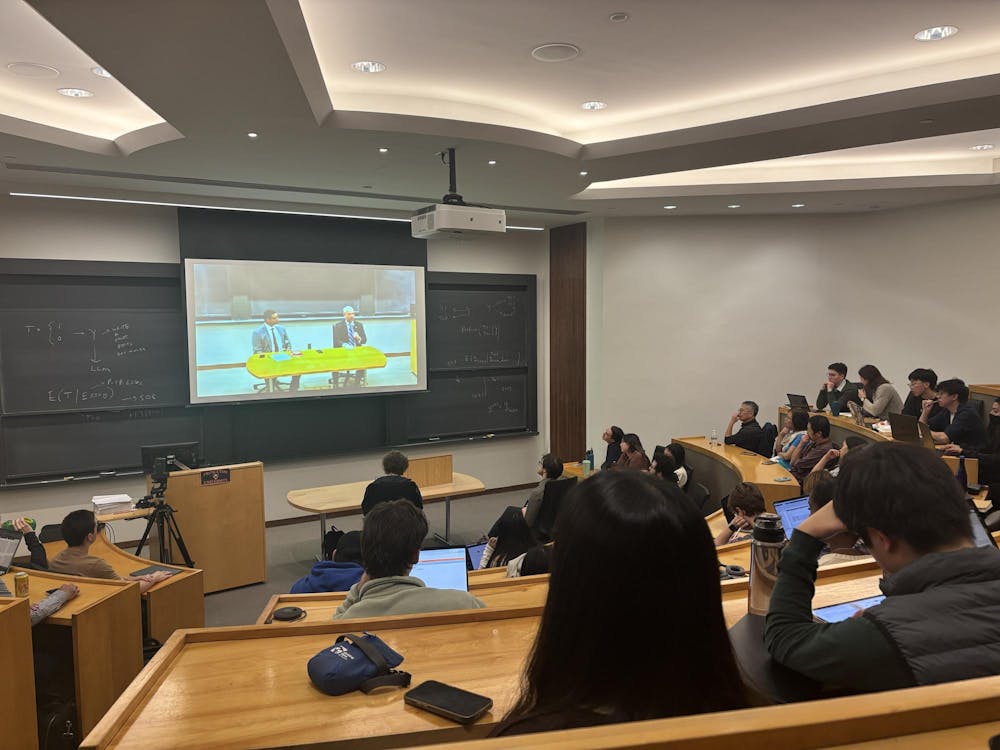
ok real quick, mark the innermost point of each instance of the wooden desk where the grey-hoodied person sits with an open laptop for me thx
(526, 591)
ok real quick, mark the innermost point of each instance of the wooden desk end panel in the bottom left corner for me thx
(17, 689)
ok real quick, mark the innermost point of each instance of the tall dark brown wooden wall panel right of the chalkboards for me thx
(568, 341)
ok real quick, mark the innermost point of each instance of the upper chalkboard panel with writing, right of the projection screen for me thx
(478, 328)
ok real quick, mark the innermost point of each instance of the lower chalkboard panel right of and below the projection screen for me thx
(472, 405)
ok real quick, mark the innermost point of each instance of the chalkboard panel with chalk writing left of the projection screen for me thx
(87, 359)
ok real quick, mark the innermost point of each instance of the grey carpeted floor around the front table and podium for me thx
(291, 551)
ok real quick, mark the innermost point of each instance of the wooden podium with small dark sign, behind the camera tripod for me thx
(220, 513)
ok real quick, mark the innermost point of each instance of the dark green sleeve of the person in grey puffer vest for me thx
(850, 654)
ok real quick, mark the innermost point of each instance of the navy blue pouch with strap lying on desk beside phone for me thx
(356, 663)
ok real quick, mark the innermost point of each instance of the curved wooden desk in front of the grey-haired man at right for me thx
(722, 467)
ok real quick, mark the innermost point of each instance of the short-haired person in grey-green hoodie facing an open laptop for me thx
(390, 547)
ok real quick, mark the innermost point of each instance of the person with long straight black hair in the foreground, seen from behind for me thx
(635, 538)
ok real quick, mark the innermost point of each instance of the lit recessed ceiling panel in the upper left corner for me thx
(26, 37)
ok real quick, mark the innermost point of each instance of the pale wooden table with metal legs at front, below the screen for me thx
(433, 475)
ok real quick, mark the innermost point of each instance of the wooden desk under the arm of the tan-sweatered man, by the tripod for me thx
(178, 602)
